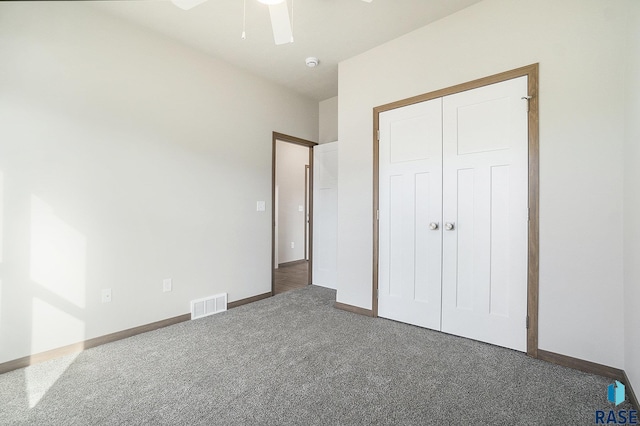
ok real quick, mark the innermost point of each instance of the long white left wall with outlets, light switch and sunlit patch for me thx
(126, 158)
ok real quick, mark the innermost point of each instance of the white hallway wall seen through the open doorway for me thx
(290, 178)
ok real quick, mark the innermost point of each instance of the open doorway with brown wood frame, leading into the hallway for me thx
(292, 213)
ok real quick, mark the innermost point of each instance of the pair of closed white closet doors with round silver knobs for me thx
(453, 214)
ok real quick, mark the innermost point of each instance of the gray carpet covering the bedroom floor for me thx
(294, 359)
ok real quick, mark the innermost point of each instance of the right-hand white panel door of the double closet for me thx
(485, 190)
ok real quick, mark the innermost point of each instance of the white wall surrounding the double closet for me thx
(580, 47)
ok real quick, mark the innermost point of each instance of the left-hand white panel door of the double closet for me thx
(410, 191)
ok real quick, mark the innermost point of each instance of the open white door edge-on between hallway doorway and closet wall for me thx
(325, 214)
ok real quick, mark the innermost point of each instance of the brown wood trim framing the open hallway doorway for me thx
(276, 136)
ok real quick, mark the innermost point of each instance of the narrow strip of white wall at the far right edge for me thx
(632, 203)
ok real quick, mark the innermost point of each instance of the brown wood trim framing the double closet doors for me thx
(531, 71)
